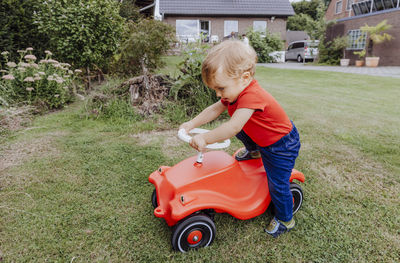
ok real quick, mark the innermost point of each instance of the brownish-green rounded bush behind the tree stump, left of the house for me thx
(145, 43)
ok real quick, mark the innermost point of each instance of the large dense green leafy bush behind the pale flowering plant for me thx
(83, 33)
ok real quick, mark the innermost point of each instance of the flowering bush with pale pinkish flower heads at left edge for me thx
(47, 84)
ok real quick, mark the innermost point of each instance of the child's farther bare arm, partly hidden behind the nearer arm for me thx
(208, 114)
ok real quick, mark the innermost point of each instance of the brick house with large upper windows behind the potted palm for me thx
(350, 15)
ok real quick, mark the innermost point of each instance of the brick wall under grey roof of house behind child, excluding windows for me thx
(278, 25)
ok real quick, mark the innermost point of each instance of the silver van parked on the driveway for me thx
(303, 49)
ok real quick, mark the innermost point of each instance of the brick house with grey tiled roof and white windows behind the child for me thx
(217, 19)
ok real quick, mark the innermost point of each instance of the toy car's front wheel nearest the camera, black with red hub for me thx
(193, 232)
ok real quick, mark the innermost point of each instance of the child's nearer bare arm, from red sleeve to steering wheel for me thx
(224, 131)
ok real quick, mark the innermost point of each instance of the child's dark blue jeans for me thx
(278, 159)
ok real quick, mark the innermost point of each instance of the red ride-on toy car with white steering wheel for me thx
(188, 194)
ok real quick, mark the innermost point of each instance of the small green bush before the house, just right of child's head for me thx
(264, 45)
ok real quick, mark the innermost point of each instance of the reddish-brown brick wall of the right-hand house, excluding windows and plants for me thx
(388, 51)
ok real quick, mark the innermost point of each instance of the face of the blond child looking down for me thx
(228, 88)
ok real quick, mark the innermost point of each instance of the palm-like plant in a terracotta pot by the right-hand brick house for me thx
(375, 35)
